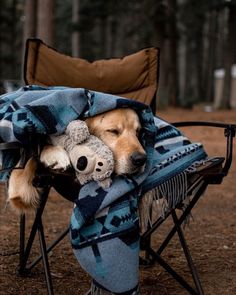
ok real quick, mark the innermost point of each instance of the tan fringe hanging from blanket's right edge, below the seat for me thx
(162, 198)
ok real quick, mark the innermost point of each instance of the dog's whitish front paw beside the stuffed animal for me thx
(55, 157)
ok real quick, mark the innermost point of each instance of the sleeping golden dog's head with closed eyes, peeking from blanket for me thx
(119, 130)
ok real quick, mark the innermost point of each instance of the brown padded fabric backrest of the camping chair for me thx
(134, 76)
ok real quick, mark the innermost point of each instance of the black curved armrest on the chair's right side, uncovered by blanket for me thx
(229, 132)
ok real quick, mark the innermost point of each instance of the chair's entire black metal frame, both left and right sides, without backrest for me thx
(209, 175)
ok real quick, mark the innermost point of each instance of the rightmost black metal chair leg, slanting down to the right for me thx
(187, 254)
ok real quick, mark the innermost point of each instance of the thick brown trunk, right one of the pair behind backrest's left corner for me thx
(45, 27)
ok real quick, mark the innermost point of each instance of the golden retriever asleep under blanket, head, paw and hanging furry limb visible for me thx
(118, 129)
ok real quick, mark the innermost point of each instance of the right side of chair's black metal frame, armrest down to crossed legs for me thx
(211, 175)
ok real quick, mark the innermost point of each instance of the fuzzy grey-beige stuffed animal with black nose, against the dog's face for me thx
(90, 157)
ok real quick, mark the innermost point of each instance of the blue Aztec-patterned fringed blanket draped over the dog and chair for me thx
(104, 222)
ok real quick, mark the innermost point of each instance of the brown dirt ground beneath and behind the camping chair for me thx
(211, 234)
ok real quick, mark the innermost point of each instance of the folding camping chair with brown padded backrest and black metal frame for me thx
(136, 77)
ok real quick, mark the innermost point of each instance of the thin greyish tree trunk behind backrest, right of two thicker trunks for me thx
(75, 34)
